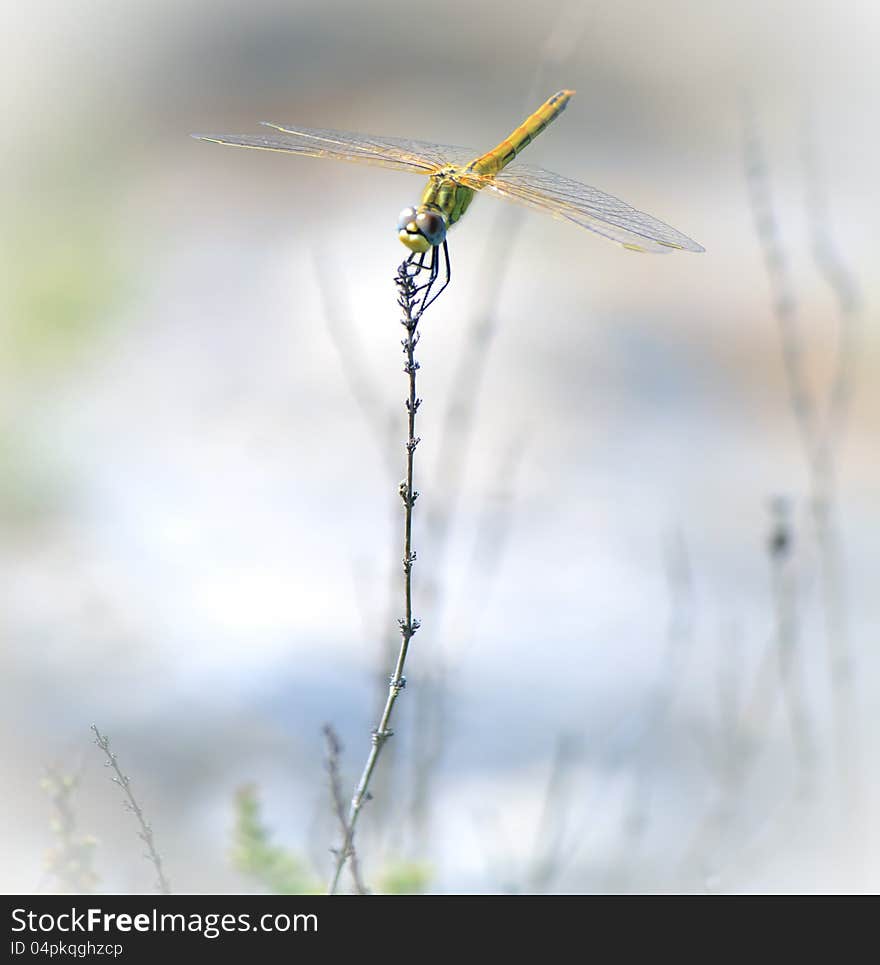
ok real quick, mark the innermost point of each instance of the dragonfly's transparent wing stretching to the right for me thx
(585, 206)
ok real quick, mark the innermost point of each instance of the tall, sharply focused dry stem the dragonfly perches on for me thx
(408, 624)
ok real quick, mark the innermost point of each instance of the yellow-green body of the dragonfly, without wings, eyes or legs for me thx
(445, 192)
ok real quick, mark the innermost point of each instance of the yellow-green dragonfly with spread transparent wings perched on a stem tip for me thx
(456, 174)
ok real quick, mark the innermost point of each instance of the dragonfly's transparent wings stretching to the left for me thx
(417, 157)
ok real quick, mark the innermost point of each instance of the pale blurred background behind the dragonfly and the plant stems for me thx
(617, 686)
